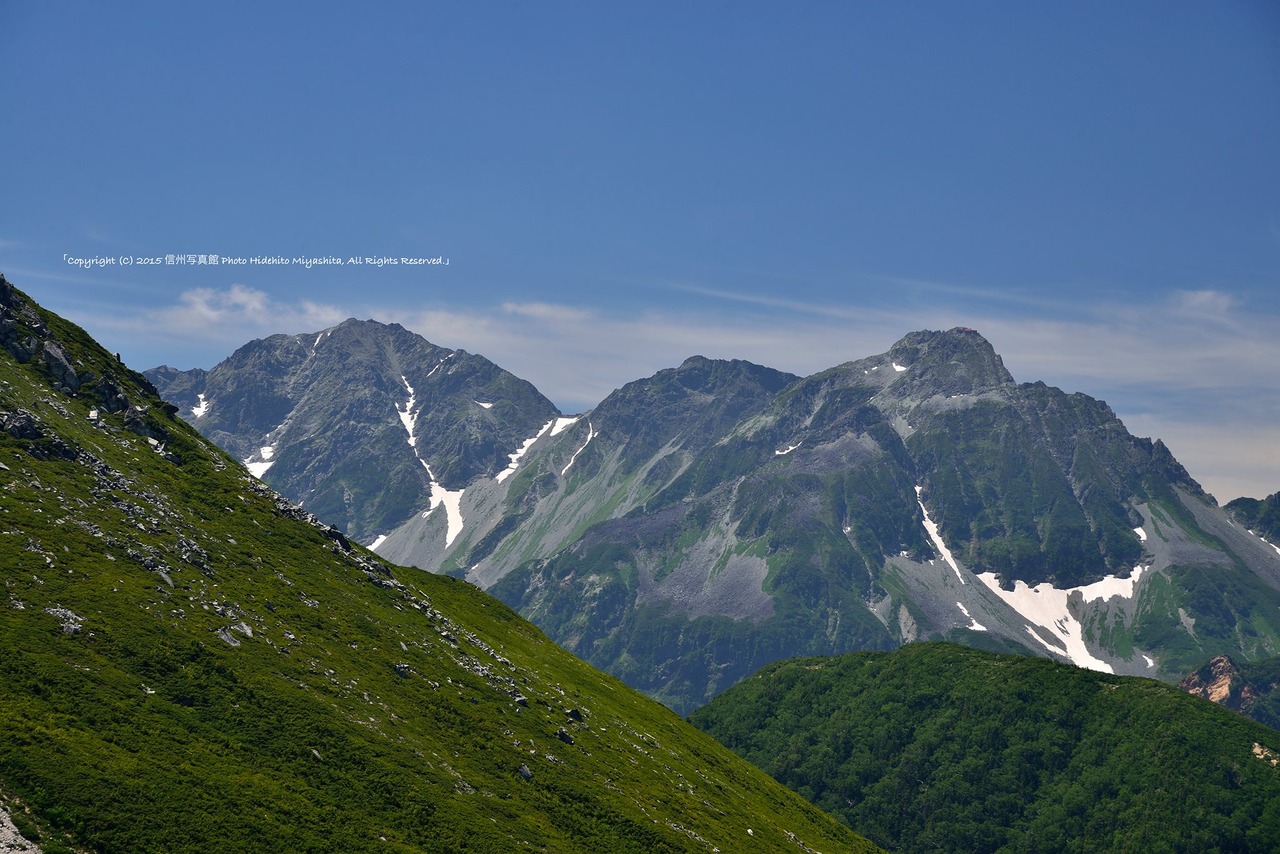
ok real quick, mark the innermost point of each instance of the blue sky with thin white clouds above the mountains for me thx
(1094, 186)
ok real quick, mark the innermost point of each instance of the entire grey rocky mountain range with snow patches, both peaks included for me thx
(721, 515)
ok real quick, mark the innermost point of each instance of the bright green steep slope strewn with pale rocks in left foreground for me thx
(188, 663)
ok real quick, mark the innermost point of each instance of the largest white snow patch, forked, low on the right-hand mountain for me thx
(1048, 608)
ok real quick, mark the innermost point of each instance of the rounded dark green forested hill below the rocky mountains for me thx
(938, 747)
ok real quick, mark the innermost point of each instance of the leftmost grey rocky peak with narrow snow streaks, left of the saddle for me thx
(323, 417)
